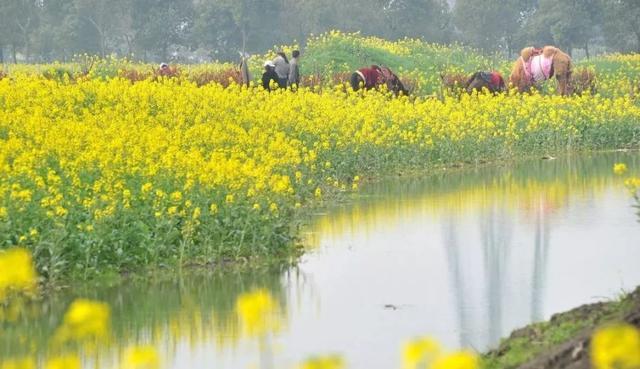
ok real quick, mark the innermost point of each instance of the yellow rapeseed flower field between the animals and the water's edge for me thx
(106, 174)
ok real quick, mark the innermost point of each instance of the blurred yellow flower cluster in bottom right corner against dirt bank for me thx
(616, 347)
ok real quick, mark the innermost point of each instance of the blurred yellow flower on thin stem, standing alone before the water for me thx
(259, 313)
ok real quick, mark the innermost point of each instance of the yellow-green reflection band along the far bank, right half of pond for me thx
(515, 190)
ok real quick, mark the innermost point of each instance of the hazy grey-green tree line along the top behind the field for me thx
(197, 30)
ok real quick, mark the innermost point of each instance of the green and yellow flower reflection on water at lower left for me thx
(172, 314)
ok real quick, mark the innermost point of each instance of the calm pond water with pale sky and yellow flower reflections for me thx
(464, 257)
